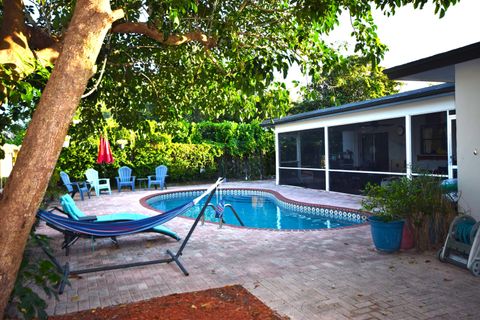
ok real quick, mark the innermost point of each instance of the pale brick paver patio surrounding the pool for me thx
(331, 274)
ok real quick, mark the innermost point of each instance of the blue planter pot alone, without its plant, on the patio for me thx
(387, 236)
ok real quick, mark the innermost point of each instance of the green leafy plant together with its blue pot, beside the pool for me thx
(390, 204)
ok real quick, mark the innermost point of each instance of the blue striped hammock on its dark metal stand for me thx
(113, 229)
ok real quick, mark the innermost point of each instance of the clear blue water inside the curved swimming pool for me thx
(263, 211)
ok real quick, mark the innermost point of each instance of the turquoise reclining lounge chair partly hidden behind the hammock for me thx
(70, 208)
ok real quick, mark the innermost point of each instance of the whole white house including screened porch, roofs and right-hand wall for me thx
(343, 148)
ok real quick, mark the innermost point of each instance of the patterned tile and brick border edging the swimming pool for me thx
(316, 209)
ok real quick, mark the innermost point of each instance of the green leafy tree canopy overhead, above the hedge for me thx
(198, 59)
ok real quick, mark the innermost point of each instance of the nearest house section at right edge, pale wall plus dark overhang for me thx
(461, 67)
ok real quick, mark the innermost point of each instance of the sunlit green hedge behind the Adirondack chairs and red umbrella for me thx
(191, 151)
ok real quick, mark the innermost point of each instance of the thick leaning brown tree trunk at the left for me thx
(44, 138)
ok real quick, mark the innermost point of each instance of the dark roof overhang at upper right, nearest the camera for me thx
(438, 68)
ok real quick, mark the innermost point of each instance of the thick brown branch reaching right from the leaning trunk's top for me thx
(172, 40)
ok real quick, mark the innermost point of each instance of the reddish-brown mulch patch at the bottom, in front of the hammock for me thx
(230, 302)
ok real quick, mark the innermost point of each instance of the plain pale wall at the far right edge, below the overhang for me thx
(467, 86)
